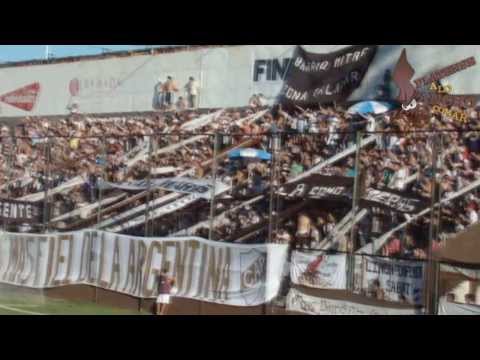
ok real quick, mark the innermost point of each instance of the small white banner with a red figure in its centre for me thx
(318, 270)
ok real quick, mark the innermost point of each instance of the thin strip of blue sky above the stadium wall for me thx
(31, 52)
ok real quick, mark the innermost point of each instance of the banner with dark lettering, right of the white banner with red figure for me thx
(399, 280)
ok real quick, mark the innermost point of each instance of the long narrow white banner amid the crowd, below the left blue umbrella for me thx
(202, 188)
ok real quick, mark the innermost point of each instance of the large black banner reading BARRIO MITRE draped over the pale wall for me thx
(314, 79)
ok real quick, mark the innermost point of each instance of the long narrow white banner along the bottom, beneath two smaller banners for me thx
(298, 301)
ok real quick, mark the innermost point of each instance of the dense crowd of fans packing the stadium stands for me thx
(116, 150)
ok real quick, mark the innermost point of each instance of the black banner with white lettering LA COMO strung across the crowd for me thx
(339, 188)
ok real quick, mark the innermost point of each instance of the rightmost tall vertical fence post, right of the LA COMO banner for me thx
(430, 307)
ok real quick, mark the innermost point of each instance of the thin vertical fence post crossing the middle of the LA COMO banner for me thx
(355, 201)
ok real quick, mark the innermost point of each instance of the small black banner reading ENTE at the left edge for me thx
(13, 211)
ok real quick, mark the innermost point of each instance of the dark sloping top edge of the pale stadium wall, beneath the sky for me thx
(114, 54)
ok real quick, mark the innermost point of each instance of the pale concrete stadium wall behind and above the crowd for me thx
(227, 76)
